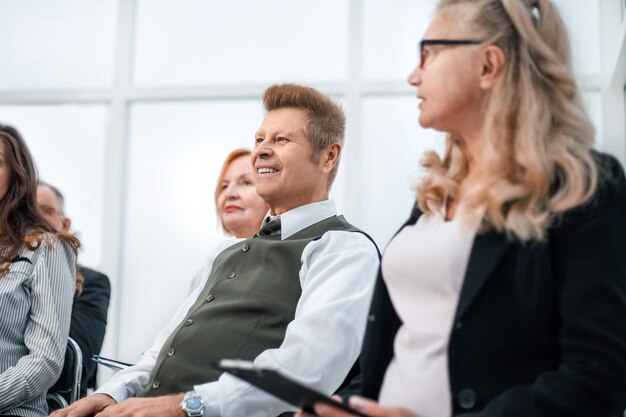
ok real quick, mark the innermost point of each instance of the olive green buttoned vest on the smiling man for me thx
(245, 307)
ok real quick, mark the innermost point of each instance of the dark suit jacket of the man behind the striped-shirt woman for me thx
(89, 320)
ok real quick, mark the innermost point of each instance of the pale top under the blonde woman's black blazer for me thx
(424, 268)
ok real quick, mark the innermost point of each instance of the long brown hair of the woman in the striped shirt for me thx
(21, 224)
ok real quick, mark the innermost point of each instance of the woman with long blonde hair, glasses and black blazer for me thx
(504, 294)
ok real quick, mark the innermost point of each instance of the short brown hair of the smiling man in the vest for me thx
(326, 122)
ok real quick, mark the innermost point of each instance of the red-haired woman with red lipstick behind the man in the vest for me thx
(238, 206)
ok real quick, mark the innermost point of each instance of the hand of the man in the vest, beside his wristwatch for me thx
(166, 406)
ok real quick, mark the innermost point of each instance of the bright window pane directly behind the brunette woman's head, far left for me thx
(68, 144)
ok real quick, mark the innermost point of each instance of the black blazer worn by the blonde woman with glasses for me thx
(540, 329)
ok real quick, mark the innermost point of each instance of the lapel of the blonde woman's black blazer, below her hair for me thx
(487, 250)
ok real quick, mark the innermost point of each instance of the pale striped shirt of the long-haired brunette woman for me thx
(36, 298)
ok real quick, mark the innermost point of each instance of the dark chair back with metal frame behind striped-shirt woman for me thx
(67, 388)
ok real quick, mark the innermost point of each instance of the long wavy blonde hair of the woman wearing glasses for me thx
(536, 159)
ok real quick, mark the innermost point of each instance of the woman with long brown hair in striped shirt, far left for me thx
(37, 285)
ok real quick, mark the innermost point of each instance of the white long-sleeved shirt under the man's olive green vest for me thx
(321, 343)
